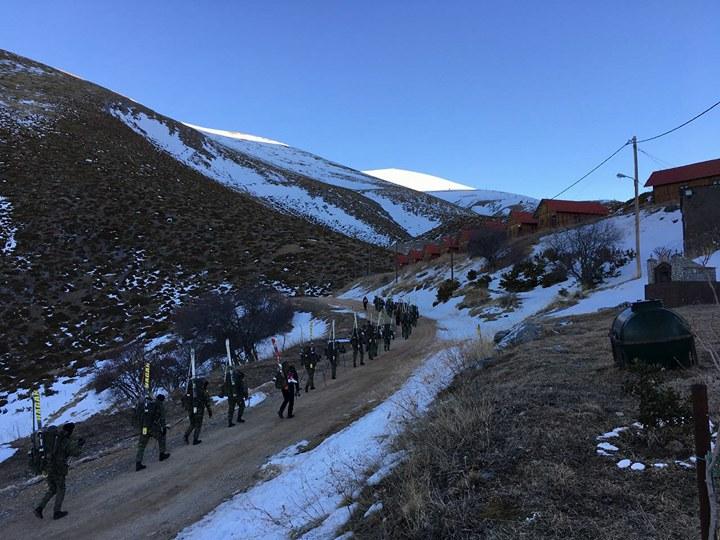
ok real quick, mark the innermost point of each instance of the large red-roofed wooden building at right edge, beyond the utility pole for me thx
(667, 183)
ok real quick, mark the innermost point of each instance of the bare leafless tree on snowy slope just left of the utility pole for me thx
(589, 253)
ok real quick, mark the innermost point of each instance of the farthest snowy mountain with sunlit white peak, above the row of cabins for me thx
(485, 202)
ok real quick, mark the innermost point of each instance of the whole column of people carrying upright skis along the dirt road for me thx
(151, 416)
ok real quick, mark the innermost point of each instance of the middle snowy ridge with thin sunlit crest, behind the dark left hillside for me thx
(415, 213)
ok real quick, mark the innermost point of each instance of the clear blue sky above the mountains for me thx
(518, 96)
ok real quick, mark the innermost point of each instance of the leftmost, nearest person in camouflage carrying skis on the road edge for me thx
(60, 446)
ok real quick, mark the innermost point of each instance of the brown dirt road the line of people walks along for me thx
(107, 499)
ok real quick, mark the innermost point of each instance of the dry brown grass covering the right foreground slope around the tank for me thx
(509, 452)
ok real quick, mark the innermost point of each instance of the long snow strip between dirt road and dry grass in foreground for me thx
(312, 485)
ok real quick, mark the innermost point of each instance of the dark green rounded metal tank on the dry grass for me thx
(649, 333)
